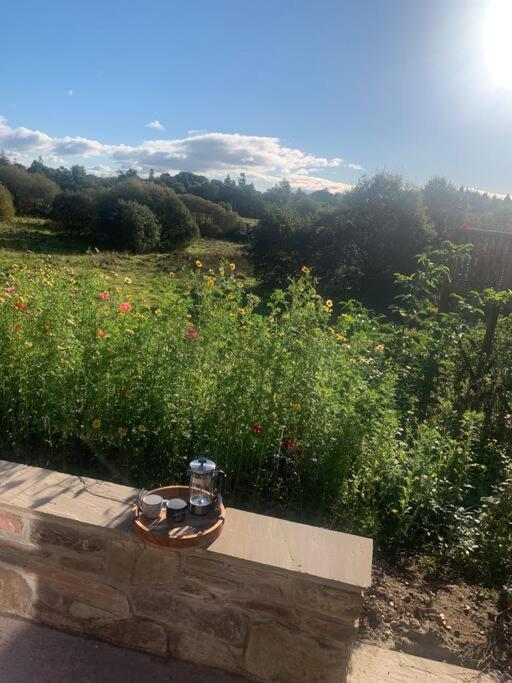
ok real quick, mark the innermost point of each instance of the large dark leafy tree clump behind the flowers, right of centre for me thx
(376, 230)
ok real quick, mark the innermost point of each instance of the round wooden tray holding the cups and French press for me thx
(195, 532)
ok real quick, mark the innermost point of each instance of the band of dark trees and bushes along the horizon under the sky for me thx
(355, 241)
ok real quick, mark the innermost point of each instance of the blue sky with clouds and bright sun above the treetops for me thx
(317, 92)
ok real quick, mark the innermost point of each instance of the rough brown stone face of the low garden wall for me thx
(265, 622)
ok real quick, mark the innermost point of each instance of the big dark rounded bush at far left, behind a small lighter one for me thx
(32, 193)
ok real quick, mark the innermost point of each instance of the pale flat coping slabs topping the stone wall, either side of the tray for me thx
(329, 556)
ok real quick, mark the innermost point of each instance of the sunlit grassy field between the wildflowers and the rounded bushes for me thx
(33, 241)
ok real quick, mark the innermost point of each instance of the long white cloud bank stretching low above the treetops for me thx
(264, 159)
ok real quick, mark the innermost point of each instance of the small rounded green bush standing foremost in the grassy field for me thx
(137, 226)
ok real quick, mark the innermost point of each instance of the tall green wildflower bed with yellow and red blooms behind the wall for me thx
(313, 414)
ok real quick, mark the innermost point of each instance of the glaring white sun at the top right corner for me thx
(498, 41)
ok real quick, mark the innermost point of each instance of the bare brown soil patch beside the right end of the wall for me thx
(414, 609)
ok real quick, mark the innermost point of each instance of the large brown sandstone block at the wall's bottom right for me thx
(279, 654)
